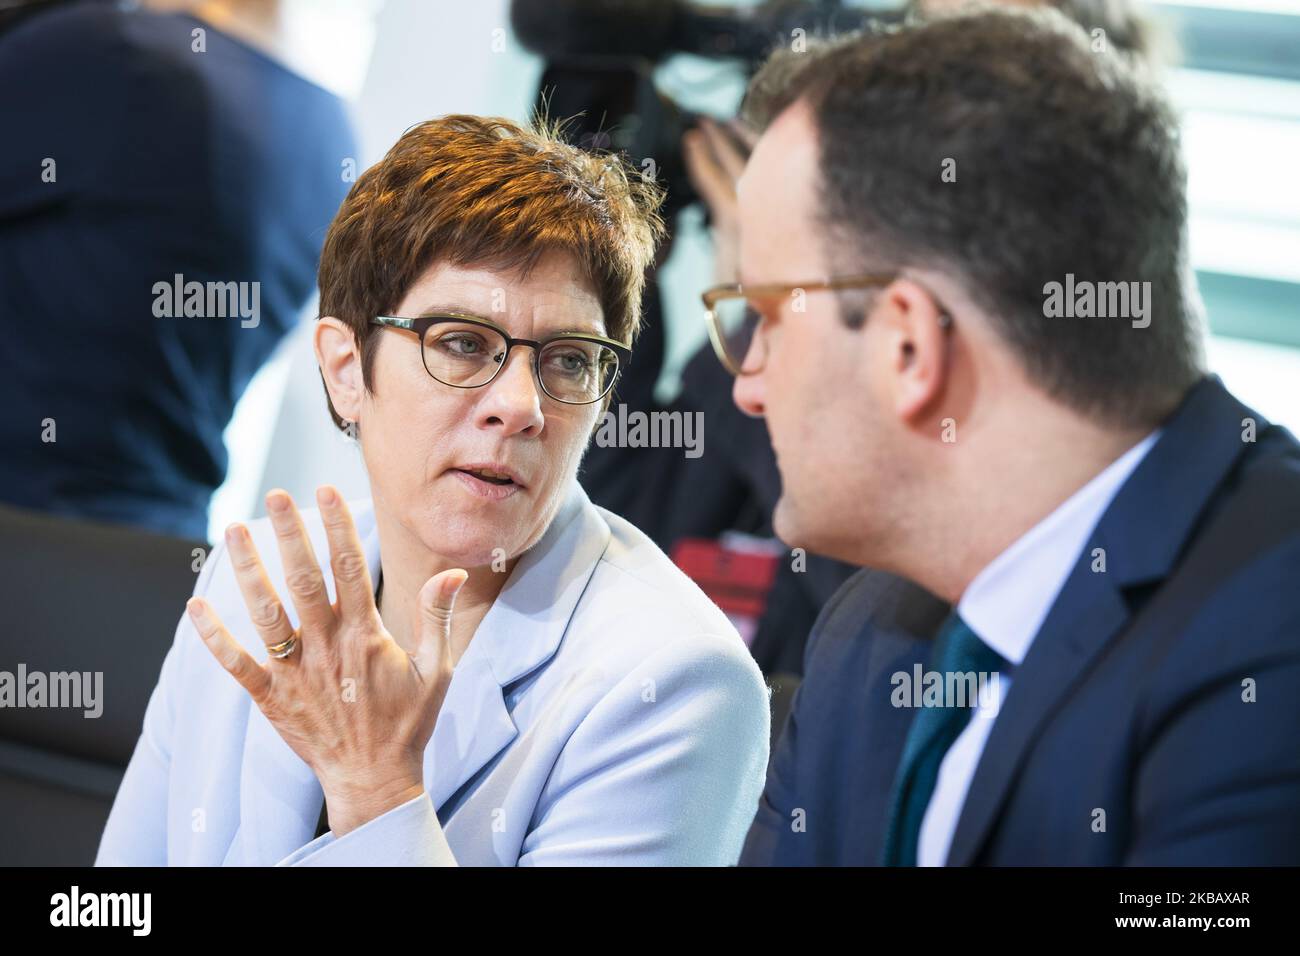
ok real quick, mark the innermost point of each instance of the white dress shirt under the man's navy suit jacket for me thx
(1007, 605)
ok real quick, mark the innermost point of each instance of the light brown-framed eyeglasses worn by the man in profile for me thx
(733, 321)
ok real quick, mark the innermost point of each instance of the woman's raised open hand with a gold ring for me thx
(348, 699)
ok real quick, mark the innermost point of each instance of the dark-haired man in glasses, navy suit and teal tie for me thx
(1003, 400)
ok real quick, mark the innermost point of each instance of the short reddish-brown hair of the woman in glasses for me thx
(470, 191)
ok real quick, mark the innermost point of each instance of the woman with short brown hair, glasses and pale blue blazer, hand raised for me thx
(495, 672)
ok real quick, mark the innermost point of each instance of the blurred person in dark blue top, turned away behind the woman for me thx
(151, 154)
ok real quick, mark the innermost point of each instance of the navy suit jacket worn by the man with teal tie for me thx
(1156, 719)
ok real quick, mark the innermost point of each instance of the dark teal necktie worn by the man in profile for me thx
(957, 650)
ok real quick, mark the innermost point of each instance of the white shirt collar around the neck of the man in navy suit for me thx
(1011, 598)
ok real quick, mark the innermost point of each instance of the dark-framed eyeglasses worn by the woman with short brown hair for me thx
(467, 353)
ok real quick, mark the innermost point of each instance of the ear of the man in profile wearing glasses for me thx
(915, 349)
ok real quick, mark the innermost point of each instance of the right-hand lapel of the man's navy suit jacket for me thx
(1143, 533)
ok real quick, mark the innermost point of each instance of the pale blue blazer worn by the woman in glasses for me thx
(605, 713)
